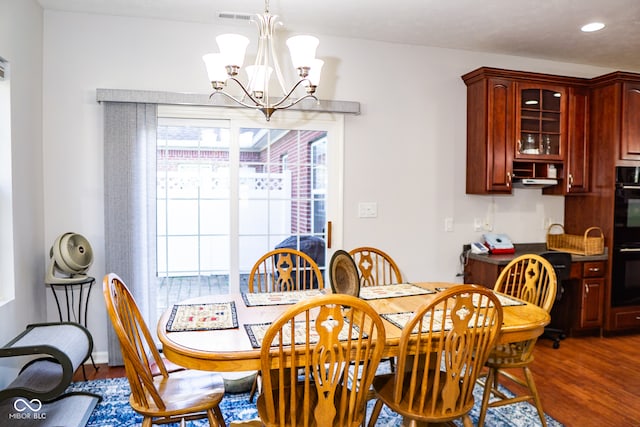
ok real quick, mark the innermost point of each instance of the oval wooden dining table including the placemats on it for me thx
(218, 332)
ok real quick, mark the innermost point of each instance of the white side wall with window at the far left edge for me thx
(21, 45)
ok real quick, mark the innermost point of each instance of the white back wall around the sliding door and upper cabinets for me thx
(406, 151)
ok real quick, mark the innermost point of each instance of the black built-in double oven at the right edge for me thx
(625, 277)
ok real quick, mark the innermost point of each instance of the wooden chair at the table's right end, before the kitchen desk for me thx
(530, 278)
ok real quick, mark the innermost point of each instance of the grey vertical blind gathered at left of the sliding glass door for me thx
(129, 199)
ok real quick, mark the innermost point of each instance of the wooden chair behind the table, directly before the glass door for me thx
(285, 269)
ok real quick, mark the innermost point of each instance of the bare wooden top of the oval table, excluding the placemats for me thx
(231, 350)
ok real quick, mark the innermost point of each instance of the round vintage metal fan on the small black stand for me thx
(71, 256)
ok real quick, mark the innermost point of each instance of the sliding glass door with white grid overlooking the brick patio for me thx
(229, 190)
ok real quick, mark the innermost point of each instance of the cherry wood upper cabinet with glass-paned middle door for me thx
(520, 125)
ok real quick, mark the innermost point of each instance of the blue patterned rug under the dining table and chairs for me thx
(114, 410)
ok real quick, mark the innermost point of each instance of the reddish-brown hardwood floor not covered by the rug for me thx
(588, 381)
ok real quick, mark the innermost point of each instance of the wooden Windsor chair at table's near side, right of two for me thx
(443, 347)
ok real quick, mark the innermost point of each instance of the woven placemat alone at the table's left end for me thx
(203, 317)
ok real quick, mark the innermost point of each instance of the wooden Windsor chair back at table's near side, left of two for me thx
(323, 378)
